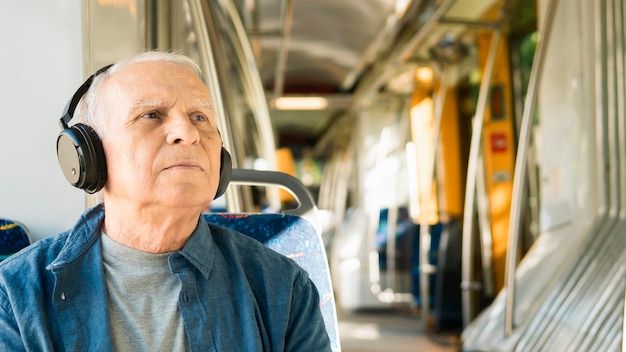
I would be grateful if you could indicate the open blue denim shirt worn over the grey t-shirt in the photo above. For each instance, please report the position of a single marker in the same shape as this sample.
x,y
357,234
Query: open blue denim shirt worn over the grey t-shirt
x,y
236,295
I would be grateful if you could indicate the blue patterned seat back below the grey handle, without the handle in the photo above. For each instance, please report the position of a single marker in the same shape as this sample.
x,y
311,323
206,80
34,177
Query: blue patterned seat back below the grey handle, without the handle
x,y
295,238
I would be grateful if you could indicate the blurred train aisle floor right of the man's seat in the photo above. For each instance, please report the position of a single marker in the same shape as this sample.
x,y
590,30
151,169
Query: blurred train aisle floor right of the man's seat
x,y
388,331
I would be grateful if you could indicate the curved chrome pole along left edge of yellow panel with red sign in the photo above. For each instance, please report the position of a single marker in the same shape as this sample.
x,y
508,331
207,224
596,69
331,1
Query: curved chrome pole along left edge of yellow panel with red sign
x,y
467,266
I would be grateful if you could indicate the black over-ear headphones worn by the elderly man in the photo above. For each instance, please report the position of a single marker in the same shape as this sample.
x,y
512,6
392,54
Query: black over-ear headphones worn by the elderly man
x,y
81,155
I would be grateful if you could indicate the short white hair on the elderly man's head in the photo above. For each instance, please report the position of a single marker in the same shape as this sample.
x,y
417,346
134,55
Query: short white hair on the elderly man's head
x,y
89,113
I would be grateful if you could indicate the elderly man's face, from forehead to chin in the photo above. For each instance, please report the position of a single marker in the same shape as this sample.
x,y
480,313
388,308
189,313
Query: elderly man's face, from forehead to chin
x,y
160,137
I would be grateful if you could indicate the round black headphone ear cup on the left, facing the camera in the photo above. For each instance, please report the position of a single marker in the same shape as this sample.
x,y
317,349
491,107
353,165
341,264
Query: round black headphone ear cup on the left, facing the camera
x,y
81,158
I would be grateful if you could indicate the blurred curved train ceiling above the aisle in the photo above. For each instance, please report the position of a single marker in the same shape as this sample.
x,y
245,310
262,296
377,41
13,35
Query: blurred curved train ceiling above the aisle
x,y
343,49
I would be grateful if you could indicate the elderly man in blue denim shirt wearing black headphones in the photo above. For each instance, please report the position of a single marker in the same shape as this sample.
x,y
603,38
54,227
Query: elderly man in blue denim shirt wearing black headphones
x,y
143,271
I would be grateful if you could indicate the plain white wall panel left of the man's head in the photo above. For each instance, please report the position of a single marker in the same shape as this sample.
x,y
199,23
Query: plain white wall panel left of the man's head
x,y
40,67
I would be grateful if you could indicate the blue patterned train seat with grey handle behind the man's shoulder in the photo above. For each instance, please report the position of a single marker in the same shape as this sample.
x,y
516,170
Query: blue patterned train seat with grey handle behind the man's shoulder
x,y
290,234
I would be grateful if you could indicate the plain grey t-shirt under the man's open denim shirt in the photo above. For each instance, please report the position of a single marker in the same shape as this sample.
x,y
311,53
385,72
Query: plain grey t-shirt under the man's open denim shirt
x,y
142,299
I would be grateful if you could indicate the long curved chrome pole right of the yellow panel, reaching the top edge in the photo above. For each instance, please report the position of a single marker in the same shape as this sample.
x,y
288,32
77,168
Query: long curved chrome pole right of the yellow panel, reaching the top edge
x,y
520,168
